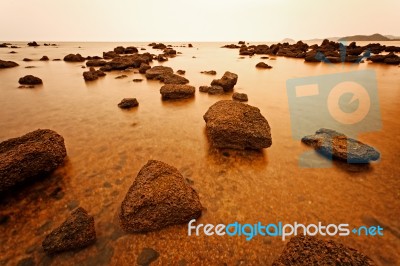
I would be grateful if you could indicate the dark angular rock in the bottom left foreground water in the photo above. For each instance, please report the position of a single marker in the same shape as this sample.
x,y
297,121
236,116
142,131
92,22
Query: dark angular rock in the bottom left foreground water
x,y
76,232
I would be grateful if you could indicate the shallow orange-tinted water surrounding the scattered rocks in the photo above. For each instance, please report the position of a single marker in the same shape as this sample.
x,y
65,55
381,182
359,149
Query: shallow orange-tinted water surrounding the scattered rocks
x,y
107,146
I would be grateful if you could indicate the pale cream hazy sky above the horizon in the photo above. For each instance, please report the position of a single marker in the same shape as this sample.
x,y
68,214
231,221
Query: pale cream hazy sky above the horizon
x,y
201,20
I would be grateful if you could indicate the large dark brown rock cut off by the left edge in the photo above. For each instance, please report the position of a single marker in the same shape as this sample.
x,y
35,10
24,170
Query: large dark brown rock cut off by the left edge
x,y
27,157
